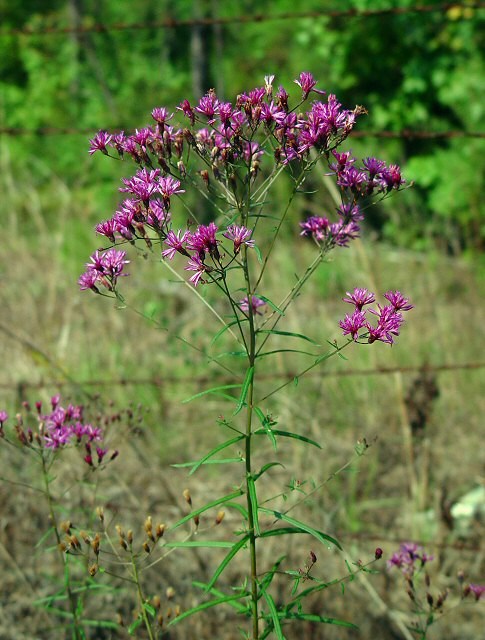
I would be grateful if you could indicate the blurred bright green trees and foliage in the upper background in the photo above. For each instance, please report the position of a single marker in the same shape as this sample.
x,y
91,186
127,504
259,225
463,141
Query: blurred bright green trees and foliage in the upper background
x,y
419,71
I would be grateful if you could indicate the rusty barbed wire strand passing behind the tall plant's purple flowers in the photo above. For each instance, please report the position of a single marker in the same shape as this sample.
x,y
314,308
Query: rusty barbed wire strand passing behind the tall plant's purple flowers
x,y
408,134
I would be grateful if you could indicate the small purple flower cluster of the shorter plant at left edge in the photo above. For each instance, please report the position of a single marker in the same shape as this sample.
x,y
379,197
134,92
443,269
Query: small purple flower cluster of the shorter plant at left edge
x,y
59,428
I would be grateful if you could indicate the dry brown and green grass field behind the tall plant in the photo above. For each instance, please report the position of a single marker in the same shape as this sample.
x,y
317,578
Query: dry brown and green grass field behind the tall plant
x,y
401,489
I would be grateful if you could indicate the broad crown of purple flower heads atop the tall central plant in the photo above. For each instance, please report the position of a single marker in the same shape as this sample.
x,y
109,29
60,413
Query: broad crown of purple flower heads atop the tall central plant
x,y
231,140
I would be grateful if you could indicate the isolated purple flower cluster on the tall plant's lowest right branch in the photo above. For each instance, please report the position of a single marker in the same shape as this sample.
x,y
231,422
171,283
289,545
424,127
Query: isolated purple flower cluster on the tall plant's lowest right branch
x,y
389,317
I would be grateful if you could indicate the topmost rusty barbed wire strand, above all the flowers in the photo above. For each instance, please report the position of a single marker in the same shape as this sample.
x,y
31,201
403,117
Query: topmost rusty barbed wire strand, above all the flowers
x,y
172,23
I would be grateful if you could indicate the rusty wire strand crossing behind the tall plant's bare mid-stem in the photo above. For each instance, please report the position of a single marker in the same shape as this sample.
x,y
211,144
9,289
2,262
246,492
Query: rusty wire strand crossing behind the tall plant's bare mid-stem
x,y
158,381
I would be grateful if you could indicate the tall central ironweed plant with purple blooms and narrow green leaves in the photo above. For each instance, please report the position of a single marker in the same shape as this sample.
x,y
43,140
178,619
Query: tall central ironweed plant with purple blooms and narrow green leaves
x,y
233,154
